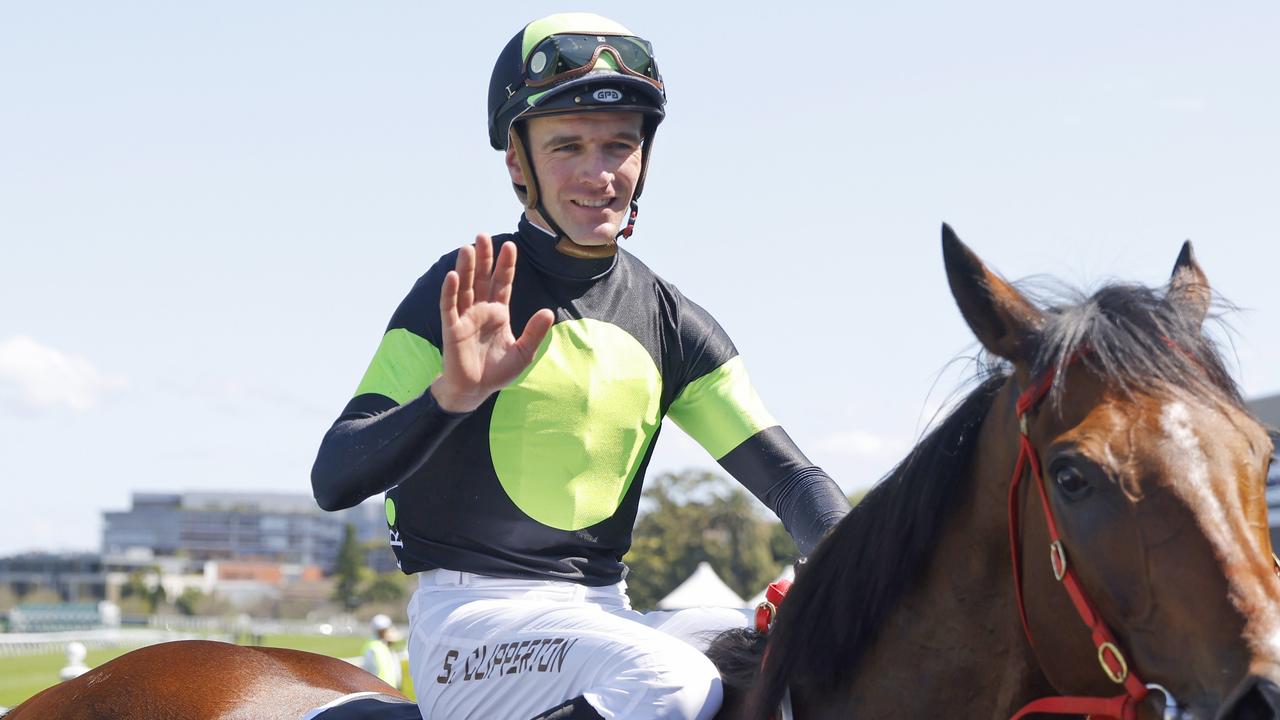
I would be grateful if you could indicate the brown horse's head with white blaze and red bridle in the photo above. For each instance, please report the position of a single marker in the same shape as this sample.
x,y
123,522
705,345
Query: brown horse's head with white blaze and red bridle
x,y
1154,475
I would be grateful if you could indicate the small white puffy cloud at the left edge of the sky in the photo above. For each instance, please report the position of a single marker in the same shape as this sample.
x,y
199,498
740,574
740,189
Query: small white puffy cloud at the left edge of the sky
x,y
39,379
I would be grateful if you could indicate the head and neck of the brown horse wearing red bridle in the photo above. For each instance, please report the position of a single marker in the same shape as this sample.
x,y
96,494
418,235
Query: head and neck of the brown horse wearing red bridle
x,y
1089,522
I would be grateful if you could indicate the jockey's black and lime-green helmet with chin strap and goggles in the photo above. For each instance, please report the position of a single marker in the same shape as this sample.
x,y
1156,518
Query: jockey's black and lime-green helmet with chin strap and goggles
x,y
573,63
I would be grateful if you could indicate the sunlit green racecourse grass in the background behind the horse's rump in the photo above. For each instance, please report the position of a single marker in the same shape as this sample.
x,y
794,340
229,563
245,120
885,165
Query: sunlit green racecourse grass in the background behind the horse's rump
x,y
25,677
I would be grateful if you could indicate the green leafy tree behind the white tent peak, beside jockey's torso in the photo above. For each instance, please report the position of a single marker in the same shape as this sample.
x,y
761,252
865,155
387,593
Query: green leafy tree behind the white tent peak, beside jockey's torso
x,y
691,518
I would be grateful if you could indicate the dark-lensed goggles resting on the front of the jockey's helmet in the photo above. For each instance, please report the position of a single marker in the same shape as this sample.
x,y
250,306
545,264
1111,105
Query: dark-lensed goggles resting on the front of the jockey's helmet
x,y
566,57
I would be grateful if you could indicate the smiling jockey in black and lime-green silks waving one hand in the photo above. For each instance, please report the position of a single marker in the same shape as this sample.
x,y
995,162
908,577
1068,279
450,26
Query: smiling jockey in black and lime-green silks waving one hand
x,y
514,403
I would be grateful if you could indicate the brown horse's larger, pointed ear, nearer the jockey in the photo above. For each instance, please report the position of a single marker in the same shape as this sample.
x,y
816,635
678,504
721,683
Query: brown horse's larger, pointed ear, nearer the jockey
x,y
1005,322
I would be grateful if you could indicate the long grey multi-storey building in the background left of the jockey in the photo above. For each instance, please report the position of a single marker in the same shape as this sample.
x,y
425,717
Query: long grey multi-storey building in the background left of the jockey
x,y
241,526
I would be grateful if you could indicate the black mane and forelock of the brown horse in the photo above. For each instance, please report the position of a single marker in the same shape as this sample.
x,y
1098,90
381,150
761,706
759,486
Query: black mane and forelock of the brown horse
x,y
845,594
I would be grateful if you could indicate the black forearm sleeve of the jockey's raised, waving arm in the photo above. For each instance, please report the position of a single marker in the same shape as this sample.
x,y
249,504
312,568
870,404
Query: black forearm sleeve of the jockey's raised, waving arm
x,y
367,452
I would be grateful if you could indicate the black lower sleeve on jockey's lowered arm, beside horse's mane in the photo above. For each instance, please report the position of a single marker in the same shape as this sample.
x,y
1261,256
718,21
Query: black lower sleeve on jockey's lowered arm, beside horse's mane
x,y
802,495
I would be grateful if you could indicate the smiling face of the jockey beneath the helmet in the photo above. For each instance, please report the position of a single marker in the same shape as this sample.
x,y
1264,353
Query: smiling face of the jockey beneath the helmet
x,y
588,166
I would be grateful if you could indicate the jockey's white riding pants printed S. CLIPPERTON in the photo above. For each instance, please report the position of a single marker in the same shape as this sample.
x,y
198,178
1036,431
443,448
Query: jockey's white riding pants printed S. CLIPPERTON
x,y
509,649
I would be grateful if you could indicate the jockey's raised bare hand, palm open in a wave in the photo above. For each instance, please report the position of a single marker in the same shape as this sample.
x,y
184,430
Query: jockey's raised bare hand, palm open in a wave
x,y
482,356
